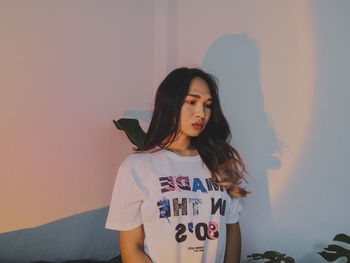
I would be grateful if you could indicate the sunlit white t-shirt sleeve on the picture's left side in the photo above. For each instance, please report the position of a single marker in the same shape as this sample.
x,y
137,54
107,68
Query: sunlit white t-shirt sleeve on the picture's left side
x,y
125,208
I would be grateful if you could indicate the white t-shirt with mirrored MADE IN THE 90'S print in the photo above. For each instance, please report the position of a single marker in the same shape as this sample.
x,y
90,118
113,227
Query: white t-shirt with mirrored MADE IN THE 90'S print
x,y
183,212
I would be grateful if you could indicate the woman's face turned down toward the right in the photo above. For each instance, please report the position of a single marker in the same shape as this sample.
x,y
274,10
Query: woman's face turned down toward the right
x,y
196,109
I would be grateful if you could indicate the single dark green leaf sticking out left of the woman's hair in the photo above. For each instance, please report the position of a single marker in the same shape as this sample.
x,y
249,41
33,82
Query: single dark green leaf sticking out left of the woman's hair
x,y
132,129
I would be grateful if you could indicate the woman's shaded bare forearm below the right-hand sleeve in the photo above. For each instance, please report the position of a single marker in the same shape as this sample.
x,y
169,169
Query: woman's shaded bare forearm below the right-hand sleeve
x,y
233,243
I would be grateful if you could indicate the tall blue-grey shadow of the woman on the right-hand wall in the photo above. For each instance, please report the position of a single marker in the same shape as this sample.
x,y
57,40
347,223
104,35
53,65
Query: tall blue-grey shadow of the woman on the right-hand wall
x,y
234,60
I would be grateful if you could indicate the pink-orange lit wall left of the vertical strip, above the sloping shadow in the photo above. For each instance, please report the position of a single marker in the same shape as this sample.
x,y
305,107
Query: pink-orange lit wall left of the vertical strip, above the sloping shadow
x,y
67,69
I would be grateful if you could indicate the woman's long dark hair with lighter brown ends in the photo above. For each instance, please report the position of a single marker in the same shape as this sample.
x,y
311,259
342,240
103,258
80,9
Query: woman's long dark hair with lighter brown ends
x,y
226,165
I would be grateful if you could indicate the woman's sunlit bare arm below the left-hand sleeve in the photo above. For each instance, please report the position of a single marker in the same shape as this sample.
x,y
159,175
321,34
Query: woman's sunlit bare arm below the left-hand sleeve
x,y
131,246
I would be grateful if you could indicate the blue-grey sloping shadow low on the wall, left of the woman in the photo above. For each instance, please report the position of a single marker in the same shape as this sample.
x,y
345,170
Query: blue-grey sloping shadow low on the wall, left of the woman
x,y
81,236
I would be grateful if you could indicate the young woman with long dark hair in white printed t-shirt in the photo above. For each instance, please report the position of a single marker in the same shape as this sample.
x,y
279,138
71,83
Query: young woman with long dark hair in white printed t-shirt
x,y
177,199
